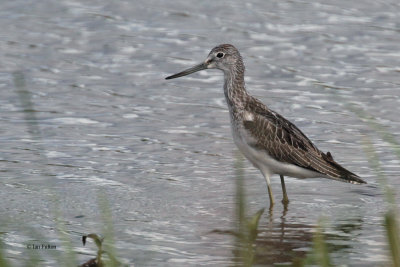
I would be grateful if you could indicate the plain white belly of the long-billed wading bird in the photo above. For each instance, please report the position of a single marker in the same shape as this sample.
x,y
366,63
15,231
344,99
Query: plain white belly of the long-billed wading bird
x,y
263,161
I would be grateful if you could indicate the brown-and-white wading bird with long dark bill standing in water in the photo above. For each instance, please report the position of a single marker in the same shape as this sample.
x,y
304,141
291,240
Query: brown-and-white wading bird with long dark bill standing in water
x,y
273,144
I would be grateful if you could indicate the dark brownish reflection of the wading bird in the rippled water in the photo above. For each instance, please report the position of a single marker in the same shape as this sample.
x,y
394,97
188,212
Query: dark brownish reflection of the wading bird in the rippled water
x,y
282,240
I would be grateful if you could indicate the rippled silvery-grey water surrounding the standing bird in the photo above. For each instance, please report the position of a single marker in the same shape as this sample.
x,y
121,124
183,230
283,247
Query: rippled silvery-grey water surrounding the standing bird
x,y
86,112
